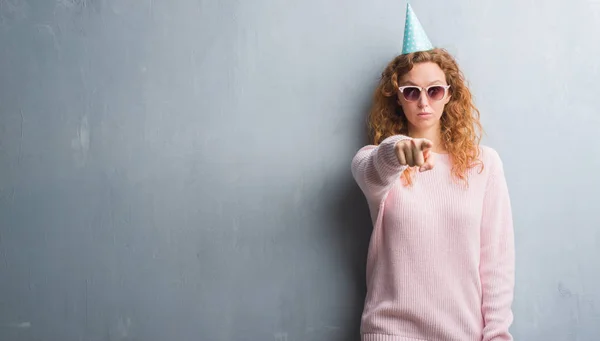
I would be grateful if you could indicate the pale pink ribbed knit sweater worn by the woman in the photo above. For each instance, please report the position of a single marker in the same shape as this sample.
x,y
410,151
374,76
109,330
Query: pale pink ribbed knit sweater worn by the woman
x,y
441,257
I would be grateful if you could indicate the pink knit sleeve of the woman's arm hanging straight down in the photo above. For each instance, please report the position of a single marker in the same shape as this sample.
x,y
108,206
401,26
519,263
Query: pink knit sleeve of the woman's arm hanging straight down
x,y
497,257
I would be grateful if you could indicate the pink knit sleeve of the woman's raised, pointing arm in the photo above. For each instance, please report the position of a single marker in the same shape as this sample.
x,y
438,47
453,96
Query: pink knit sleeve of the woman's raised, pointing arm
x,y
376,168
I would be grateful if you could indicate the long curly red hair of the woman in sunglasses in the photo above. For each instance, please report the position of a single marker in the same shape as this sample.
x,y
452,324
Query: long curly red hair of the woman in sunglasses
x,y
460,126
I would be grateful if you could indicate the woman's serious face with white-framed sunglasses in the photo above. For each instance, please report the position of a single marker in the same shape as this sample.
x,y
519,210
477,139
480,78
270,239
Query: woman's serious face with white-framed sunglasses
x,y
423,109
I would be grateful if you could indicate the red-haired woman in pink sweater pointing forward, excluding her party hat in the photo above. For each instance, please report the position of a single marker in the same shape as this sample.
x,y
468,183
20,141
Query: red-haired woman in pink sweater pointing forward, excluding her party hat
x,y
441,257
